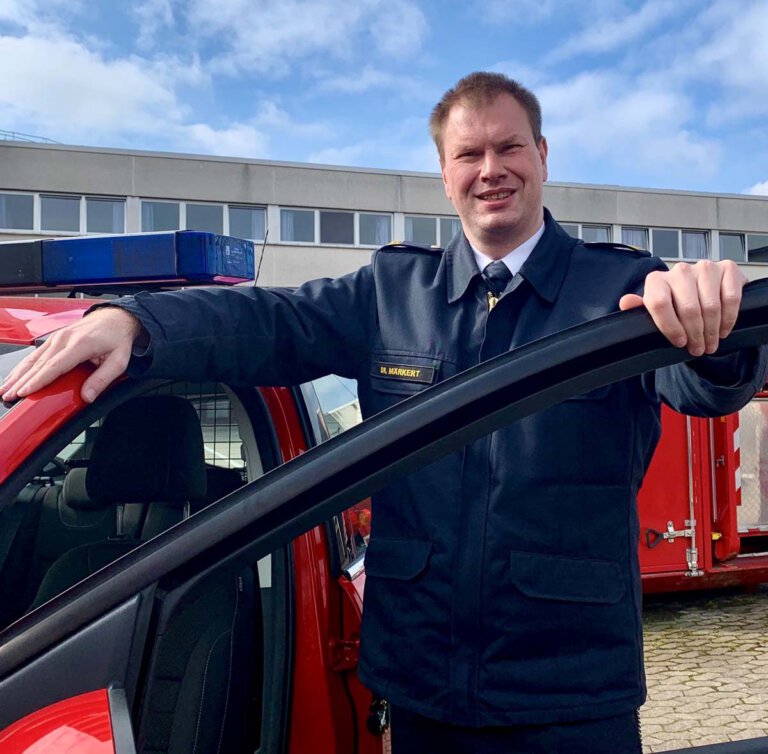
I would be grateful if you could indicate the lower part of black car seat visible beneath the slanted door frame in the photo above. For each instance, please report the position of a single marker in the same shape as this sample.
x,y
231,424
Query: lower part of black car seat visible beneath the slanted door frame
x,y
203,677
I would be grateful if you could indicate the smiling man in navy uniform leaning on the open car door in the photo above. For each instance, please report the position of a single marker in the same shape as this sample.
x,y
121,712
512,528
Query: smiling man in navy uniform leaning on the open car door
x,y
502,608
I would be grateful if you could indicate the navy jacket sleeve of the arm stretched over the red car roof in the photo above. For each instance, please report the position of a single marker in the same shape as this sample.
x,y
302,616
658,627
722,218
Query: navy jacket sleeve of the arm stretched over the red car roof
x,y
244,335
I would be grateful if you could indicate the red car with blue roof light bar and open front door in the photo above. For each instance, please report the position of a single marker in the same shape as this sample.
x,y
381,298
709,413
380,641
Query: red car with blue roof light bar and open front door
x,y
258,656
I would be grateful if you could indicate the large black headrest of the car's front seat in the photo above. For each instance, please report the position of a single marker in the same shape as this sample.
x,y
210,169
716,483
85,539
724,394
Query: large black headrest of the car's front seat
x,y
149,449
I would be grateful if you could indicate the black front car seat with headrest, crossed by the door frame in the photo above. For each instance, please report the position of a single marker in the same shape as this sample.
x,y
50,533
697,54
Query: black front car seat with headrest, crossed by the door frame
x,y
201,679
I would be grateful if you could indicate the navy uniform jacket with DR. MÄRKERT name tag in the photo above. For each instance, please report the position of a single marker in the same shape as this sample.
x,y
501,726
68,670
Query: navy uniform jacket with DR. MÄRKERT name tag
x,y
503,583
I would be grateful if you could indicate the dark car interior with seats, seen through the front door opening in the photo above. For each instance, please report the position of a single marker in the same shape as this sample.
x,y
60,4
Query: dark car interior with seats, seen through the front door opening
x,y
146,465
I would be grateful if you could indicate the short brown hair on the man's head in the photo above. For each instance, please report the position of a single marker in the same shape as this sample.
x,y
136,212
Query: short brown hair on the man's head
x,y
481,88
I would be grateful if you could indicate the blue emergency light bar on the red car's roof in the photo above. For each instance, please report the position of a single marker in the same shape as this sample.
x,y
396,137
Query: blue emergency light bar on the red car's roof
x,y
183,257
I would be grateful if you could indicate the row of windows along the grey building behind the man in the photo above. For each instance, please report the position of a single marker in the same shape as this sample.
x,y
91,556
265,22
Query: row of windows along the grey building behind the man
x,y
77,214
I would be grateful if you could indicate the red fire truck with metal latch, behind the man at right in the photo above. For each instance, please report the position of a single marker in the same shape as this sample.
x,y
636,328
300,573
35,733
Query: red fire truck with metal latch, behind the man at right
x,y
704,502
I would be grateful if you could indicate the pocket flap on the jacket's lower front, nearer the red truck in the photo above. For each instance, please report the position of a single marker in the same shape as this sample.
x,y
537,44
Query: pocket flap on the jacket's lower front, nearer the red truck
x,y
555,577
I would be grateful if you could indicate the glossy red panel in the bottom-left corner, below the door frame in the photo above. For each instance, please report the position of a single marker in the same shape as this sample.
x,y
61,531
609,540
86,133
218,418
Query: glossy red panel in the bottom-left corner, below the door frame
x,y
80,725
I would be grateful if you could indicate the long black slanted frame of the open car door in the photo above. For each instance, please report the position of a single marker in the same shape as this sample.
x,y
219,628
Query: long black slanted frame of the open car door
x,y
271,511
